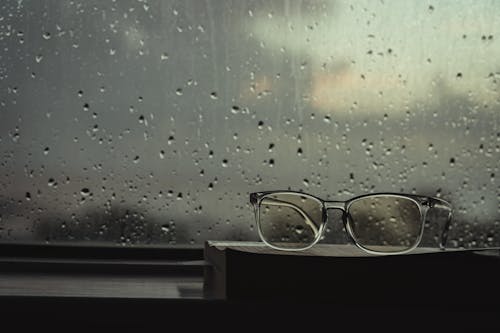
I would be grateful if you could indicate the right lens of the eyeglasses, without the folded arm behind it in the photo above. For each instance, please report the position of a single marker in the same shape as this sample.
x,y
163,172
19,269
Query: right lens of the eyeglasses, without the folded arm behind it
x,y
385,223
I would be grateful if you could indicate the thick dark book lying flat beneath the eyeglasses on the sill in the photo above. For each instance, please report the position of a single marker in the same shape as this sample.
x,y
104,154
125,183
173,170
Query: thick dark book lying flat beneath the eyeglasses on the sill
x,y
346,275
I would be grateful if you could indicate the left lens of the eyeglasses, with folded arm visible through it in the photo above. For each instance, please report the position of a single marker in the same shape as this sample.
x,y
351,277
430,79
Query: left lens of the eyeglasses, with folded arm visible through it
x,y
290,221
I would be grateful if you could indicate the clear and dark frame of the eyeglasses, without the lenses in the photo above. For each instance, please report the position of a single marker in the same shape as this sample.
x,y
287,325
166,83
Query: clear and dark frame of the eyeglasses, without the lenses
x,y
424,203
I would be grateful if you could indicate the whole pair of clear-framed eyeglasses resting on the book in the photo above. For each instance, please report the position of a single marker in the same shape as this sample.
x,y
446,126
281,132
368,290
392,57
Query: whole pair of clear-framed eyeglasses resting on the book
x,y
381,223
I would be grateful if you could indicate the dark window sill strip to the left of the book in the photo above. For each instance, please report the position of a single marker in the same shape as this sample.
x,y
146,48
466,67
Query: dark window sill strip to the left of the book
x,y
101,272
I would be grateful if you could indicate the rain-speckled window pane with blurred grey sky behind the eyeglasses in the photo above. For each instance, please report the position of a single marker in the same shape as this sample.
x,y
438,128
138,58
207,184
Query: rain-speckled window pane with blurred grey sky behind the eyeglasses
x,y
149,122
